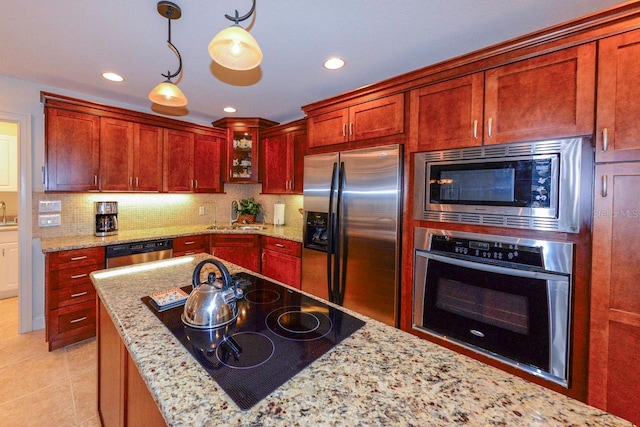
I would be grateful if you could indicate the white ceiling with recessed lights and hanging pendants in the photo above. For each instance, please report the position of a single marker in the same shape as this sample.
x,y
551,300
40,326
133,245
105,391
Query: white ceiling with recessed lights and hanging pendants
x,y
67,44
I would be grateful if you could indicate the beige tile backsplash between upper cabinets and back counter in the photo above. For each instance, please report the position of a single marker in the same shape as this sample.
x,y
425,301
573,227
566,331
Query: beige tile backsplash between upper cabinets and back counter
x,y
138,211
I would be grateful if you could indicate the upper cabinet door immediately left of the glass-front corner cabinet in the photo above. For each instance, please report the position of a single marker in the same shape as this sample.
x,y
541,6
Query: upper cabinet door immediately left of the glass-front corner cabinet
x,y
208,162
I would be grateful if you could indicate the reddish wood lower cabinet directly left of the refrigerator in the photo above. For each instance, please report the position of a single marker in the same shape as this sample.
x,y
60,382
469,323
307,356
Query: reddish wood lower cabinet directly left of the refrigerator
x,y
281,260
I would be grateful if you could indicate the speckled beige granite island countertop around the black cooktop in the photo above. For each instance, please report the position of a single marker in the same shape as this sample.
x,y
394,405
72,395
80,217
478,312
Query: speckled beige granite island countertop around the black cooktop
x,y
378,376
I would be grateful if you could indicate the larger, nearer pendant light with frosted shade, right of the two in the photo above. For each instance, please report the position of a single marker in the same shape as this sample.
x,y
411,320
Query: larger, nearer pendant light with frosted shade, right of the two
x,y
234,47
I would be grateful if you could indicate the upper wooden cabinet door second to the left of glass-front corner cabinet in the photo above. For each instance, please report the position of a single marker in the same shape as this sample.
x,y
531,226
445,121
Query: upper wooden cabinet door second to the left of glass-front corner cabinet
x,y
178,161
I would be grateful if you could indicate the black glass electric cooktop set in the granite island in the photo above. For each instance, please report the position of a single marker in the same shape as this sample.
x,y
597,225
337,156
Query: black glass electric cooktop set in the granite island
x,y
277,334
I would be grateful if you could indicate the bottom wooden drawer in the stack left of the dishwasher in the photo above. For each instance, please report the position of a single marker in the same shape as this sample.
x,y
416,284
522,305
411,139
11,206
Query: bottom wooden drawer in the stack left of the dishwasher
x,y
73,320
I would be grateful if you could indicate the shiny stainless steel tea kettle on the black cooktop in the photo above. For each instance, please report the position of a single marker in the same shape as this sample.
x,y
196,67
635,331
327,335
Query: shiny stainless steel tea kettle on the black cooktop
x,y
211,305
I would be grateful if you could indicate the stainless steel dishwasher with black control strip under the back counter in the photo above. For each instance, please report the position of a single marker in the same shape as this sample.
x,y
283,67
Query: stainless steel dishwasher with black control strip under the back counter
x,y
136,253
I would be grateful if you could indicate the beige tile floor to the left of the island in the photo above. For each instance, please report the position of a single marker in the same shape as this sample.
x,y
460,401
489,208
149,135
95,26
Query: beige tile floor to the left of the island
x,y
42,388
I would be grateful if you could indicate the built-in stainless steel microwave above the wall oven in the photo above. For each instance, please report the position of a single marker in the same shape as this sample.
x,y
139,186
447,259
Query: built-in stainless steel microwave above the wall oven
x,y
533,185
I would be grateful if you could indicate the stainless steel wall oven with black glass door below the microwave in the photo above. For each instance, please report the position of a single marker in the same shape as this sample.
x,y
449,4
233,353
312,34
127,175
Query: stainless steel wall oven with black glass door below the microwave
x,y
504,297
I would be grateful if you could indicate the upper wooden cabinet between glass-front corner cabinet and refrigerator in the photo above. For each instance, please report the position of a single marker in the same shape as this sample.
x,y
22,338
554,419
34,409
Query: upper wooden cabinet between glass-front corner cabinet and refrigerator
x,y
282,157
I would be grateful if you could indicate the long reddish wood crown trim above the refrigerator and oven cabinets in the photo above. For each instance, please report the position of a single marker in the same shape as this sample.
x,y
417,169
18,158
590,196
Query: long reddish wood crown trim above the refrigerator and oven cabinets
x,y
589,28
